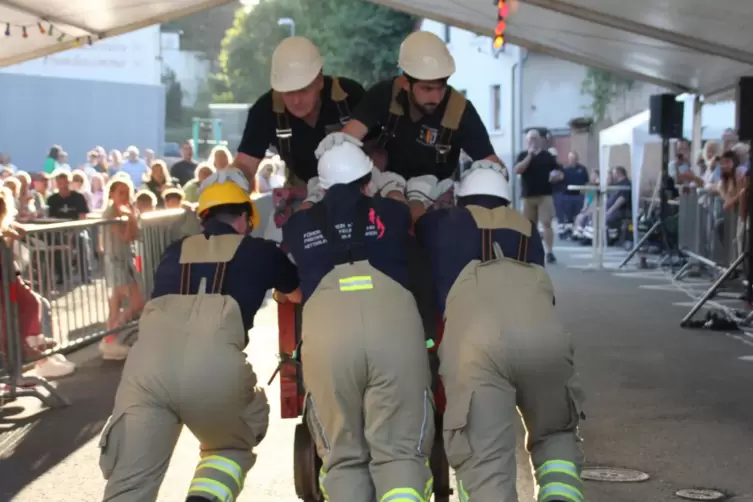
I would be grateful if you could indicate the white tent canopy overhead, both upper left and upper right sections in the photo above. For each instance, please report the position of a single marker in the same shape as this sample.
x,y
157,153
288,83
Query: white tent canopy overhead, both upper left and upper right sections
x,y
683,45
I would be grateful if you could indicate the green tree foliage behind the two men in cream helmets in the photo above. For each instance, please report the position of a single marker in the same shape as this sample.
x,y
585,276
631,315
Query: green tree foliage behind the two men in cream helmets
x,y
357,39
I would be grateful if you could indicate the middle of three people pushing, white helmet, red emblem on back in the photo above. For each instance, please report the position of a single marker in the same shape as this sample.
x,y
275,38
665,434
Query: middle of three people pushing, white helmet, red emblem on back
x,y
368,399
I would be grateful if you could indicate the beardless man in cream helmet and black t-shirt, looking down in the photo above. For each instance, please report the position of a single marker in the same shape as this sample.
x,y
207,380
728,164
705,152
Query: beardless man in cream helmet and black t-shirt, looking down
x,y
295,115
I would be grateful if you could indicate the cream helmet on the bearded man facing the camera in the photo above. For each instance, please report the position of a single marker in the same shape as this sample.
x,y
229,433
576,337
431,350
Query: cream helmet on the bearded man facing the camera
x,y
424,56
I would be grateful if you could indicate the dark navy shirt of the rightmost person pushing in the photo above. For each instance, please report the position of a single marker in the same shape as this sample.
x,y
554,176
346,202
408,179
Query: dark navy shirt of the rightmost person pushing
x,y
453,240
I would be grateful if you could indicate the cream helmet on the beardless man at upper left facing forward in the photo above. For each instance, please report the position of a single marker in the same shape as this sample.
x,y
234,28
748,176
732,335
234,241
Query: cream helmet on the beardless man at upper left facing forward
x,y
295,64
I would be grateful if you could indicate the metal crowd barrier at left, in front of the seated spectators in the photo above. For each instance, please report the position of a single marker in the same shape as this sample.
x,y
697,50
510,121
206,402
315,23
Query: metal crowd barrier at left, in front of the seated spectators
x,y
62,267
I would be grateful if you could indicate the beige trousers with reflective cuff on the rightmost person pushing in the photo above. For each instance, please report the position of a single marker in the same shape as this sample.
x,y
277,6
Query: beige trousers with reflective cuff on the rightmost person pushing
x,y
504,347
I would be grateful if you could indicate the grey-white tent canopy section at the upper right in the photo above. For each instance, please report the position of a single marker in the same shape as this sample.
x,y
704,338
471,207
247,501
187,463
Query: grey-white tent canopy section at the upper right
x,y
682,45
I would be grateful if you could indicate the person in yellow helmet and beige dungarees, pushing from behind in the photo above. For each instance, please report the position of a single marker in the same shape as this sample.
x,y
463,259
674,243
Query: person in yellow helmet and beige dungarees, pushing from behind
x,y
188,365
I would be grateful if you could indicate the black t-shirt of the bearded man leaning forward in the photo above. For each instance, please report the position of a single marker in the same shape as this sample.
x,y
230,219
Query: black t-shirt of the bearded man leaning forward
x,y
412,151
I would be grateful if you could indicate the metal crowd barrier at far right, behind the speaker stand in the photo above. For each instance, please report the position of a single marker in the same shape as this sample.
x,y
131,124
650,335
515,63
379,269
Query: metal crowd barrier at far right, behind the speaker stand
x,y
708,238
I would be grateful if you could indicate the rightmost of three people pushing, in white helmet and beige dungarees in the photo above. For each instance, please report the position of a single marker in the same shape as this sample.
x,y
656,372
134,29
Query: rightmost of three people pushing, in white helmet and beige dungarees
x,y
502,347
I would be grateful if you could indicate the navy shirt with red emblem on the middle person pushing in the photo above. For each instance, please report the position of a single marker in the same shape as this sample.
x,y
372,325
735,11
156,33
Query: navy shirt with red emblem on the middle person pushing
x,y
385,243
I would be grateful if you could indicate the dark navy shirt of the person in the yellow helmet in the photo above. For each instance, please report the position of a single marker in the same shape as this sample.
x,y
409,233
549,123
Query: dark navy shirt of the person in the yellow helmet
x,y
258,266
